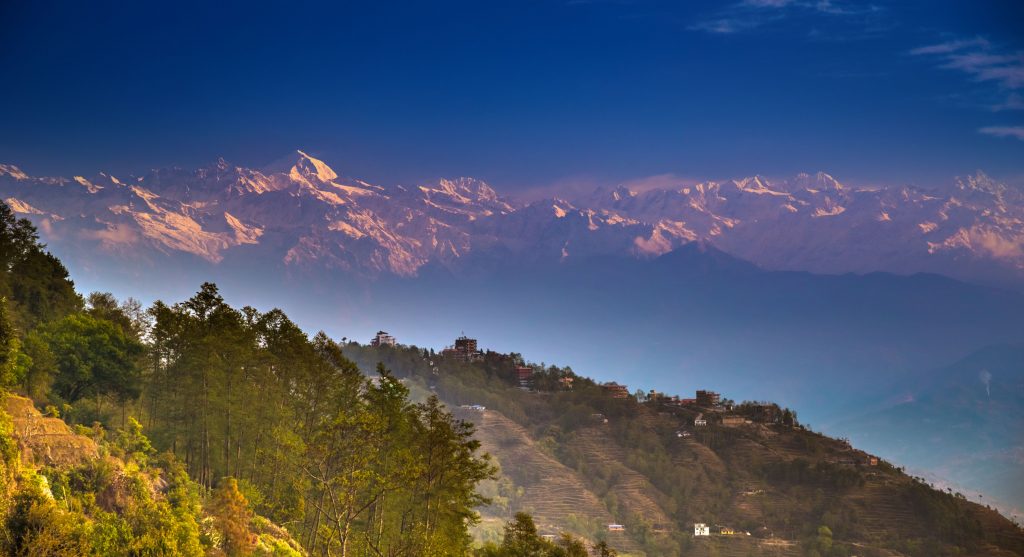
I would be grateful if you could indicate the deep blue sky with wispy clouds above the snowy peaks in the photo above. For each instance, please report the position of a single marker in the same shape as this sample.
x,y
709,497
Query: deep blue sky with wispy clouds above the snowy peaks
x,y
525,95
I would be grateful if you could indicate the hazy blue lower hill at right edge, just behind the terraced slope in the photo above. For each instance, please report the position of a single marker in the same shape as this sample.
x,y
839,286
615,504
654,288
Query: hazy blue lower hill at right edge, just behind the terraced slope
x,y
965,421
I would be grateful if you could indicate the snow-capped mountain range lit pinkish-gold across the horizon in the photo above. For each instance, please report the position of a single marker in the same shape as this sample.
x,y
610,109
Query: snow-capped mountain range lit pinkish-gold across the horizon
x,y
301,213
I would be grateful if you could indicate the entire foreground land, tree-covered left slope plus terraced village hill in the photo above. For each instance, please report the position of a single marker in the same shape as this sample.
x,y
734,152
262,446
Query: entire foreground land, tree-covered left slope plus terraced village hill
x,y
198,429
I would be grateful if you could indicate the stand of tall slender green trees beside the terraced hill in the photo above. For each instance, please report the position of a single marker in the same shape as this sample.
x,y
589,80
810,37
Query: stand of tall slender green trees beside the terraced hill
x,y
351,465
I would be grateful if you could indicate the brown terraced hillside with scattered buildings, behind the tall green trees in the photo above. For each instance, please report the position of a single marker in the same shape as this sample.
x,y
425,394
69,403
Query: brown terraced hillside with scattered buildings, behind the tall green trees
x,y
653,474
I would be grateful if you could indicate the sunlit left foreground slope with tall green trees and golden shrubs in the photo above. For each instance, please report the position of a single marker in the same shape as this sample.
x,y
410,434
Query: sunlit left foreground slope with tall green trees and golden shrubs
x,y
211,412
